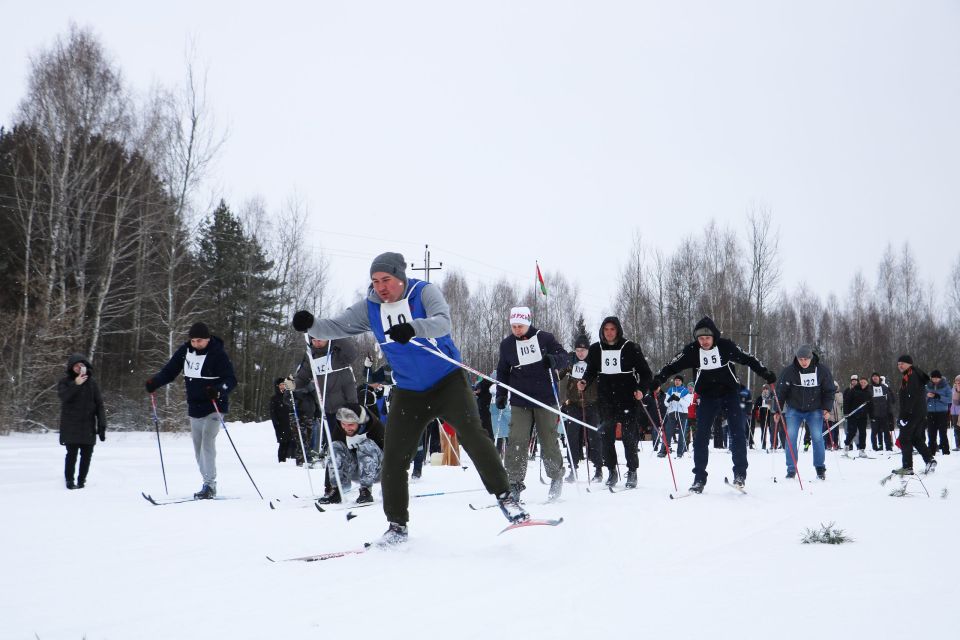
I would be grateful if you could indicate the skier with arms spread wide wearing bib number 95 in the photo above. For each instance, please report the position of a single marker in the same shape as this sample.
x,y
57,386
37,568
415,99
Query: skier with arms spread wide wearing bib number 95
x,y
712,357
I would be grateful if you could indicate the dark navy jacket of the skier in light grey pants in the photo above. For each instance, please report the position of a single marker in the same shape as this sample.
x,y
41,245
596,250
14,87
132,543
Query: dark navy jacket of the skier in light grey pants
x,y
216,371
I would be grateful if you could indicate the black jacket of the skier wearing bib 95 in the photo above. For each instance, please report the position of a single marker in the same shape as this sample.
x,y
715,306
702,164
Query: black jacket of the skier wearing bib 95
x,y
715,377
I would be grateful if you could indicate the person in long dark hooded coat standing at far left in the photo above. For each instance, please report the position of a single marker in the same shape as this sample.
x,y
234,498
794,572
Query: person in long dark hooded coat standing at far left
x,y
82,418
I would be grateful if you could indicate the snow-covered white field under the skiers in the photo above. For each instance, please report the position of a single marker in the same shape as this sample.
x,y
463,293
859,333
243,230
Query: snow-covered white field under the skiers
x,y
102,563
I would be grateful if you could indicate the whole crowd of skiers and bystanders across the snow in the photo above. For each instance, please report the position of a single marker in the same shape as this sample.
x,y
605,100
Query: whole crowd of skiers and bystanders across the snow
x,y
609,392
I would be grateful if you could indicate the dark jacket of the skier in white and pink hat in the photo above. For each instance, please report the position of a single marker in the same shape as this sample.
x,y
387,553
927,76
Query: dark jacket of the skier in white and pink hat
x,y
532,379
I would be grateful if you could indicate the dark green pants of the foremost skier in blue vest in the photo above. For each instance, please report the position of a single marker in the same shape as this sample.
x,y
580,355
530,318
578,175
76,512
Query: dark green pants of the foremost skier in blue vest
x,y
452,401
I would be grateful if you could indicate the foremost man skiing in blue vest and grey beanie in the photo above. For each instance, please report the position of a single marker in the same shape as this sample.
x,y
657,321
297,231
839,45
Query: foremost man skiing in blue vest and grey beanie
x,y
397,310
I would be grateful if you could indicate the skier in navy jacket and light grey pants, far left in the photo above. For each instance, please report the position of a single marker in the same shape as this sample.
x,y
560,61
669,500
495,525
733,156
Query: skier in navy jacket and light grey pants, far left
x,y
208,378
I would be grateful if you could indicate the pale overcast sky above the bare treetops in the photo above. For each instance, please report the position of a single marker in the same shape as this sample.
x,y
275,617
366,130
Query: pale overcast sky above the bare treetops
x,y
506,132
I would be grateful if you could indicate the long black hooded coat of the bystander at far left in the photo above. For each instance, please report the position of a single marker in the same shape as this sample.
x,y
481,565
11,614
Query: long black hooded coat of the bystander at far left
x,y
82,416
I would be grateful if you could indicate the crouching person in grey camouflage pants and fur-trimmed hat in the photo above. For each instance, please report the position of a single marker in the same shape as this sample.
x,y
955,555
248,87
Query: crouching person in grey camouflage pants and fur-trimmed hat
x,y
357,453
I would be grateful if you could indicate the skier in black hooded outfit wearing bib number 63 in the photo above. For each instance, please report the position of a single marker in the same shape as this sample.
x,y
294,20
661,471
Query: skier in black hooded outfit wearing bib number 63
x,y
619,369
